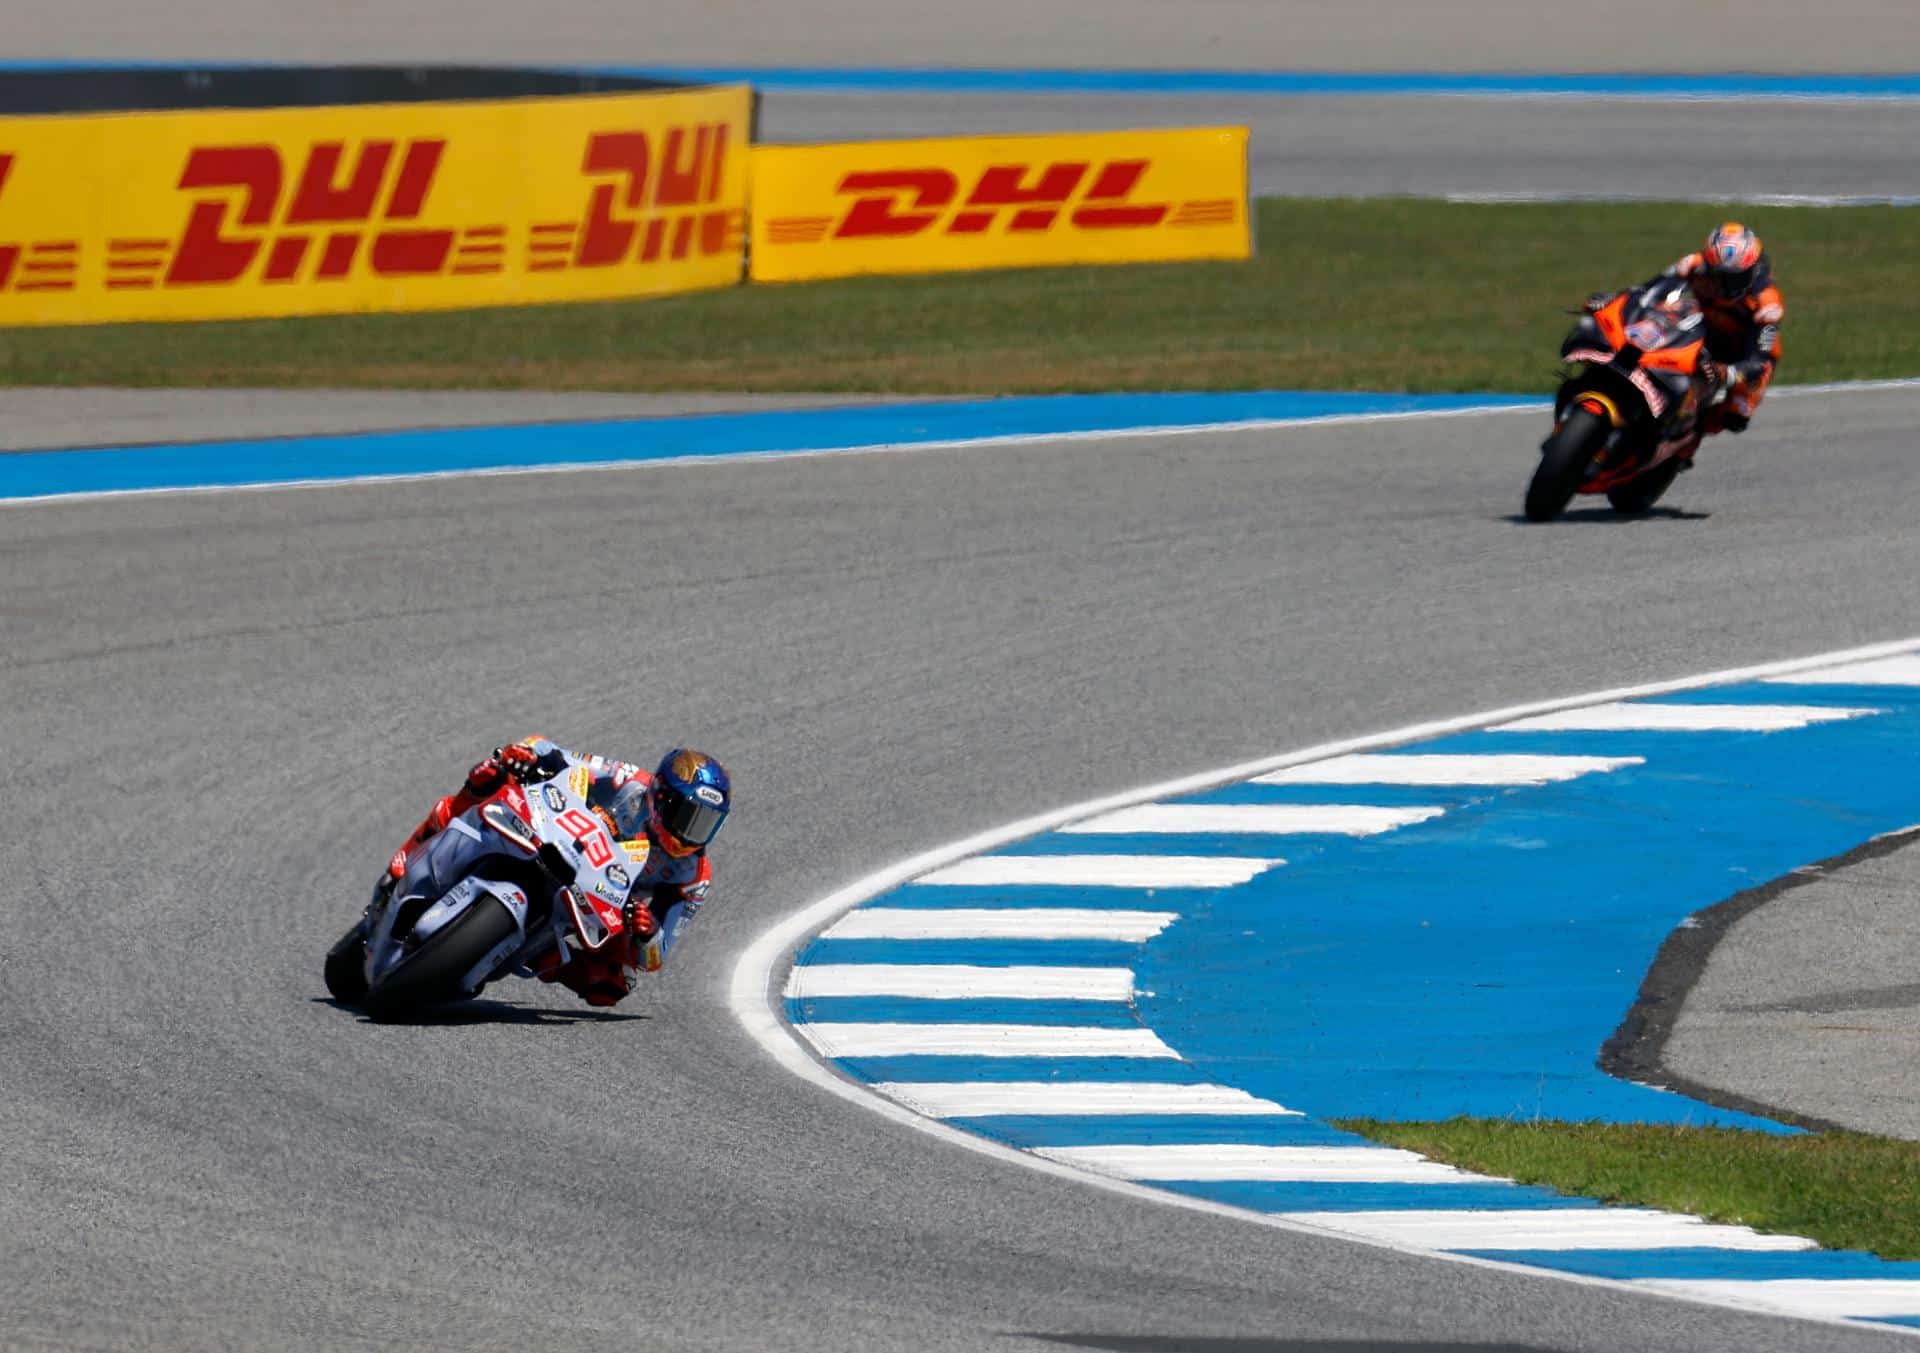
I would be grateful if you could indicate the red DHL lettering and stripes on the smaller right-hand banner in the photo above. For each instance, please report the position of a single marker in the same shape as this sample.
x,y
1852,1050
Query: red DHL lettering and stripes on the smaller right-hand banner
x,y
1024,199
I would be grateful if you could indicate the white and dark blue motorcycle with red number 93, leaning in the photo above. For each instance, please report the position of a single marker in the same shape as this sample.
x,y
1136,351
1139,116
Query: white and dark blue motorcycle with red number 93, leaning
x,y
516,878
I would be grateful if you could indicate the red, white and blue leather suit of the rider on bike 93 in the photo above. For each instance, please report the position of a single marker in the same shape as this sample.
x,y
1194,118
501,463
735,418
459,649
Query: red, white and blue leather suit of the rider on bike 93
x,y
673,886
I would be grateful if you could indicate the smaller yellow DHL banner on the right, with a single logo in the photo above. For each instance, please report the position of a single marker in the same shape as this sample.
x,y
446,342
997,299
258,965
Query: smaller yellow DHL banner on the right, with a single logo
x,y
996,202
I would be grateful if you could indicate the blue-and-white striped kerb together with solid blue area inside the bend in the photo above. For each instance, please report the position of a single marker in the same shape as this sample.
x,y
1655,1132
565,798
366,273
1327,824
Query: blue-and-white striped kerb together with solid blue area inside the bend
x,y
1378,962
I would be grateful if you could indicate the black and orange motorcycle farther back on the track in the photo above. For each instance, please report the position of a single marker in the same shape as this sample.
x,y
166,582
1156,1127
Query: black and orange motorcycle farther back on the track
x,y
1633,408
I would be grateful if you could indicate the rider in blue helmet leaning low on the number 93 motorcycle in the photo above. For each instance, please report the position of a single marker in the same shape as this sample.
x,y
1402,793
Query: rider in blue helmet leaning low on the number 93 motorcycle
x,y
663,822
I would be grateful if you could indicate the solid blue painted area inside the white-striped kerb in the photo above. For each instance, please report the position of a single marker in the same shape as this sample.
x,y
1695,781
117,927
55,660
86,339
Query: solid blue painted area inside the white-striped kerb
x,y
1477,962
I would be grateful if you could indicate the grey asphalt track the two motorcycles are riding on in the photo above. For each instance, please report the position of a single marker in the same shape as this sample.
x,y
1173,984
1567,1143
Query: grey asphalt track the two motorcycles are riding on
x,y
224,711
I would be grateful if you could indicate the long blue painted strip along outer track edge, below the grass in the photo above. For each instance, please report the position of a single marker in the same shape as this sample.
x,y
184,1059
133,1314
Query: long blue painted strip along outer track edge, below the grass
x,y
26,475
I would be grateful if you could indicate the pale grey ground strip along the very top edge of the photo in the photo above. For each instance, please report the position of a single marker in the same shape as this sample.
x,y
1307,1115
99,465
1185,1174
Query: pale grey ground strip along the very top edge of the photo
x,y
1318,36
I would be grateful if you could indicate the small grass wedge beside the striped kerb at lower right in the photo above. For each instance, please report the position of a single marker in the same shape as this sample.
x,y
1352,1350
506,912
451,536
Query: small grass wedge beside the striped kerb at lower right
x,y
1846,1191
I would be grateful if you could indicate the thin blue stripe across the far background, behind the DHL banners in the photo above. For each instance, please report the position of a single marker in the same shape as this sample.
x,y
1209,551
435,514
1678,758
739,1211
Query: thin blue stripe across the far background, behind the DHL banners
x,y
798,80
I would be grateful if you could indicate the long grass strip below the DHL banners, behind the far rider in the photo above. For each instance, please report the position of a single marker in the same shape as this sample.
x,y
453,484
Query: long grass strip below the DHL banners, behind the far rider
x,y
1347,295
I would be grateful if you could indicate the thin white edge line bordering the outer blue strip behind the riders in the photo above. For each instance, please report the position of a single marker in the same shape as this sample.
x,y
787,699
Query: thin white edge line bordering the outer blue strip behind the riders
x,y
878,448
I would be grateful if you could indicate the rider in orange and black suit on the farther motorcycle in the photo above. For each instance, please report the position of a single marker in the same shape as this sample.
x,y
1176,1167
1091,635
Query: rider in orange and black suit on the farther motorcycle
x,y
1733,281
